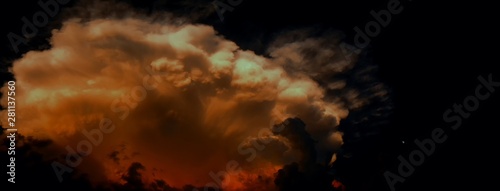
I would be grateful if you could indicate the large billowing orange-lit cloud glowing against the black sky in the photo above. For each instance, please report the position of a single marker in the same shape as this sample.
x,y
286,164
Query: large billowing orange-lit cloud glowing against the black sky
x,y
183,99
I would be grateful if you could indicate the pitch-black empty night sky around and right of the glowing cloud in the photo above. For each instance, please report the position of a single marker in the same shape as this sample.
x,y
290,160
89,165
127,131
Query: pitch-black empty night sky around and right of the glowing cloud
x,y
430,55
